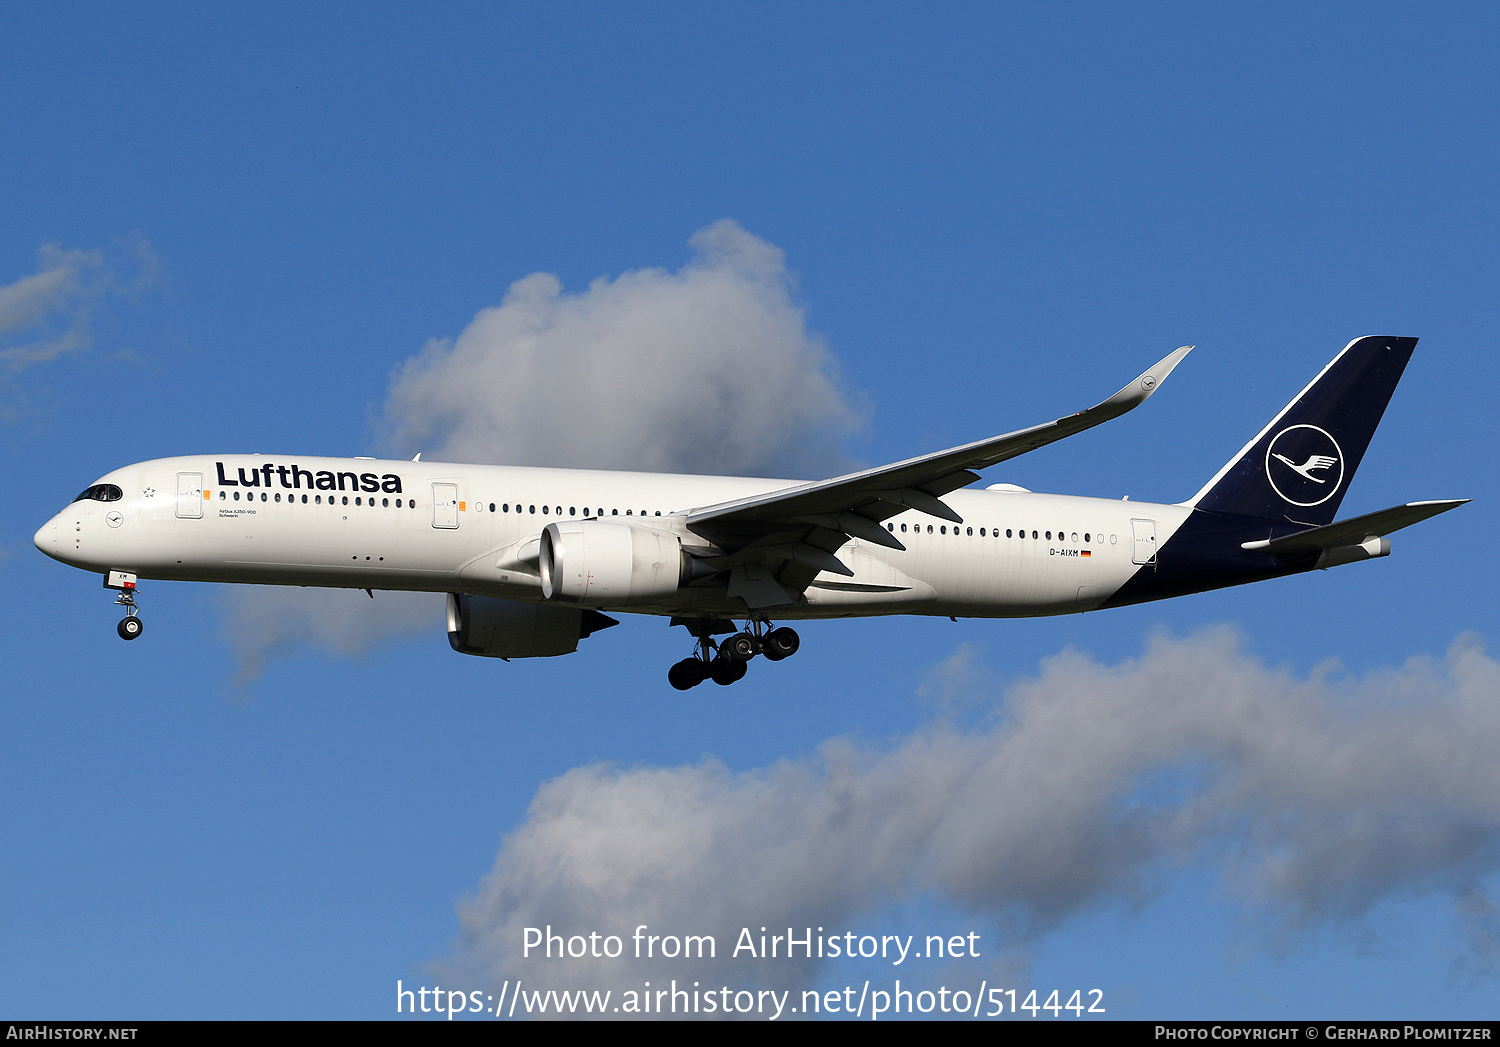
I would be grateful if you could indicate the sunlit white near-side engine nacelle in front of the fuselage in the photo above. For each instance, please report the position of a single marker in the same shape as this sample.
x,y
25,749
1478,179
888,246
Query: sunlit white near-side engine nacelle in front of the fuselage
x,y
608,565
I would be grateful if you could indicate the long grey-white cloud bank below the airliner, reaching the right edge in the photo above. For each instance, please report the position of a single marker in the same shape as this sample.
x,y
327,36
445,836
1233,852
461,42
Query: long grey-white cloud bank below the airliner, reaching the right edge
x,y
1319,797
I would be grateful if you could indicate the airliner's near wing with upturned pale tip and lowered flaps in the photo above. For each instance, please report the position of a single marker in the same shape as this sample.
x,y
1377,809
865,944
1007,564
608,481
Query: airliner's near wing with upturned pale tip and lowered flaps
x,y
790,536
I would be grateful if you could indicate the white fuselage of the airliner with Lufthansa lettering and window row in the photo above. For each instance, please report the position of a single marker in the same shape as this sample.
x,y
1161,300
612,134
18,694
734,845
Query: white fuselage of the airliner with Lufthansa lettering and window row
x,y
466,529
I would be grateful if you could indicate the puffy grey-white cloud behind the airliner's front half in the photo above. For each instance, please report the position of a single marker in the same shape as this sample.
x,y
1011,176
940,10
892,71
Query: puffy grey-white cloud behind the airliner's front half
x,y
704,370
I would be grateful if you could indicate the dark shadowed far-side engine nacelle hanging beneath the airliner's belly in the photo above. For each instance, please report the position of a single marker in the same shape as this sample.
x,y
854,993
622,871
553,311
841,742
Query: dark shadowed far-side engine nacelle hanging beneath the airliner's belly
x,y
508,629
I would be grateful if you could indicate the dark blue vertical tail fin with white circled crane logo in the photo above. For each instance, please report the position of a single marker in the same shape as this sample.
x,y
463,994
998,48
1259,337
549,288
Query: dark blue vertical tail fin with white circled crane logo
x,y
1300,466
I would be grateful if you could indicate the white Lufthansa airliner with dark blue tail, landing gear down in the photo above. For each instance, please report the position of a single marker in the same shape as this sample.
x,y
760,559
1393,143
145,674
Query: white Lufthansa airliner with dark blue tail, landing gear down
x,y
533,559
